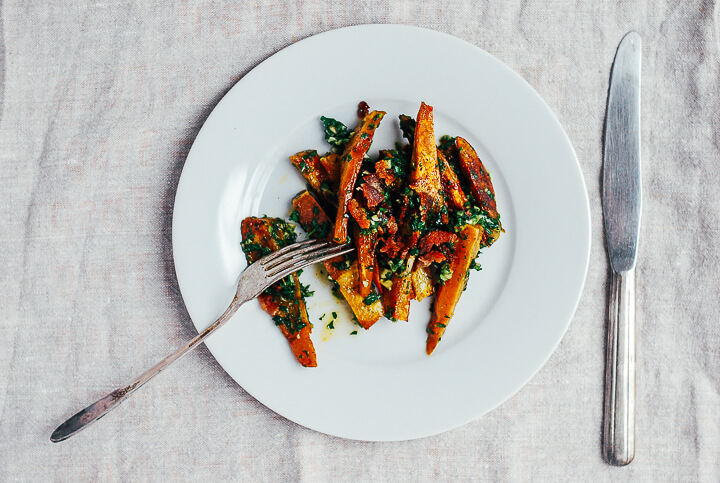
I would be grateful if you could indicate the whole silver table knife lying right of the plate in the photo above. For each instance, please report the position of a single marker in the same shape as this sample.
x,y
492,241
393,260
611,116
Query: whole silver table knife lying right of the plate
x,y
621,210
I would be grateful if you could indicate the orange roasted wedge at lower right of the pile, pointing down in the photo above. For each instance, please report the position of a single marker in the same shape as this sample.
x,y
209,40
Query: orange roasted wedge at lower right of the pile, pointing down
x,y
448,294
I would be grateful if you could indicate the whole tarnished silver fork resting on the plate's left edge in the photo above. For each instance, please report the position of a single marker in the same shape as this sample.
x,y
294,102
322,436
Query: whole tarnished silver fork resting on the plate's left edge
x,y
256,278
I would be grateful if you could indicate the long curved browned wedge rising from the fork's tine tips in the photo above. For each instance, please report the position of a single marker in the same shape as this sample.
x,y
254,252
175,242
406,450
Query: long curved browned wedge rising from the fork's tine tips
x,y
351,162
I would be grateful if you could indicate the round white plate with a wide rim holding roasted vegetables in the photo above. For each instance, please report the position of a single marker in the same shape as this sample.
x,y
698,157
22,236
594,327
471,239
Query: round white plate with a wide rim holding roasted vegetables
x,y
379,385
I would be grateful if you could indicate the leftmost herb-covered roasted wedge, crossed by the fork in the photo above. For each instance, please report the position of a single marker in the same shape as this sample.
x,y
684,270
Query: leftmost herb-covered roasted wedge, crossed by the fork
x,y
284,300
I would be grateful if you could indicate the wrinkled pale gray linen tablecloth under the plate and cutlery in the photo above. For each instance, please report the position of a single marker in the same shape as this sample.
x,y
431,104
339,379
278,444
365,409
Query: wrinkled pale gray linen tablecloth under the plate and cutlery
x,y
100,104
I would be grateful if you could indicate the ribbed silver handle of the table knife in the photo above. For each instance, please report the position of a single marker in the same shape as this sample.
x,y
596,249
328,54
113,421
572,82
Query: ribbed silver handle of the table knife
x,y
619,425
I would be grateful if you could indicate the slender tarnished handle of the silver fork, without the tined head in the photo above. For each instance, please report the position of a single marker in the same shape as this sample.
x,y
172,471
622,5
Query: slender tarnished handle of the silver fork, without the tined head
x,y
106,404
